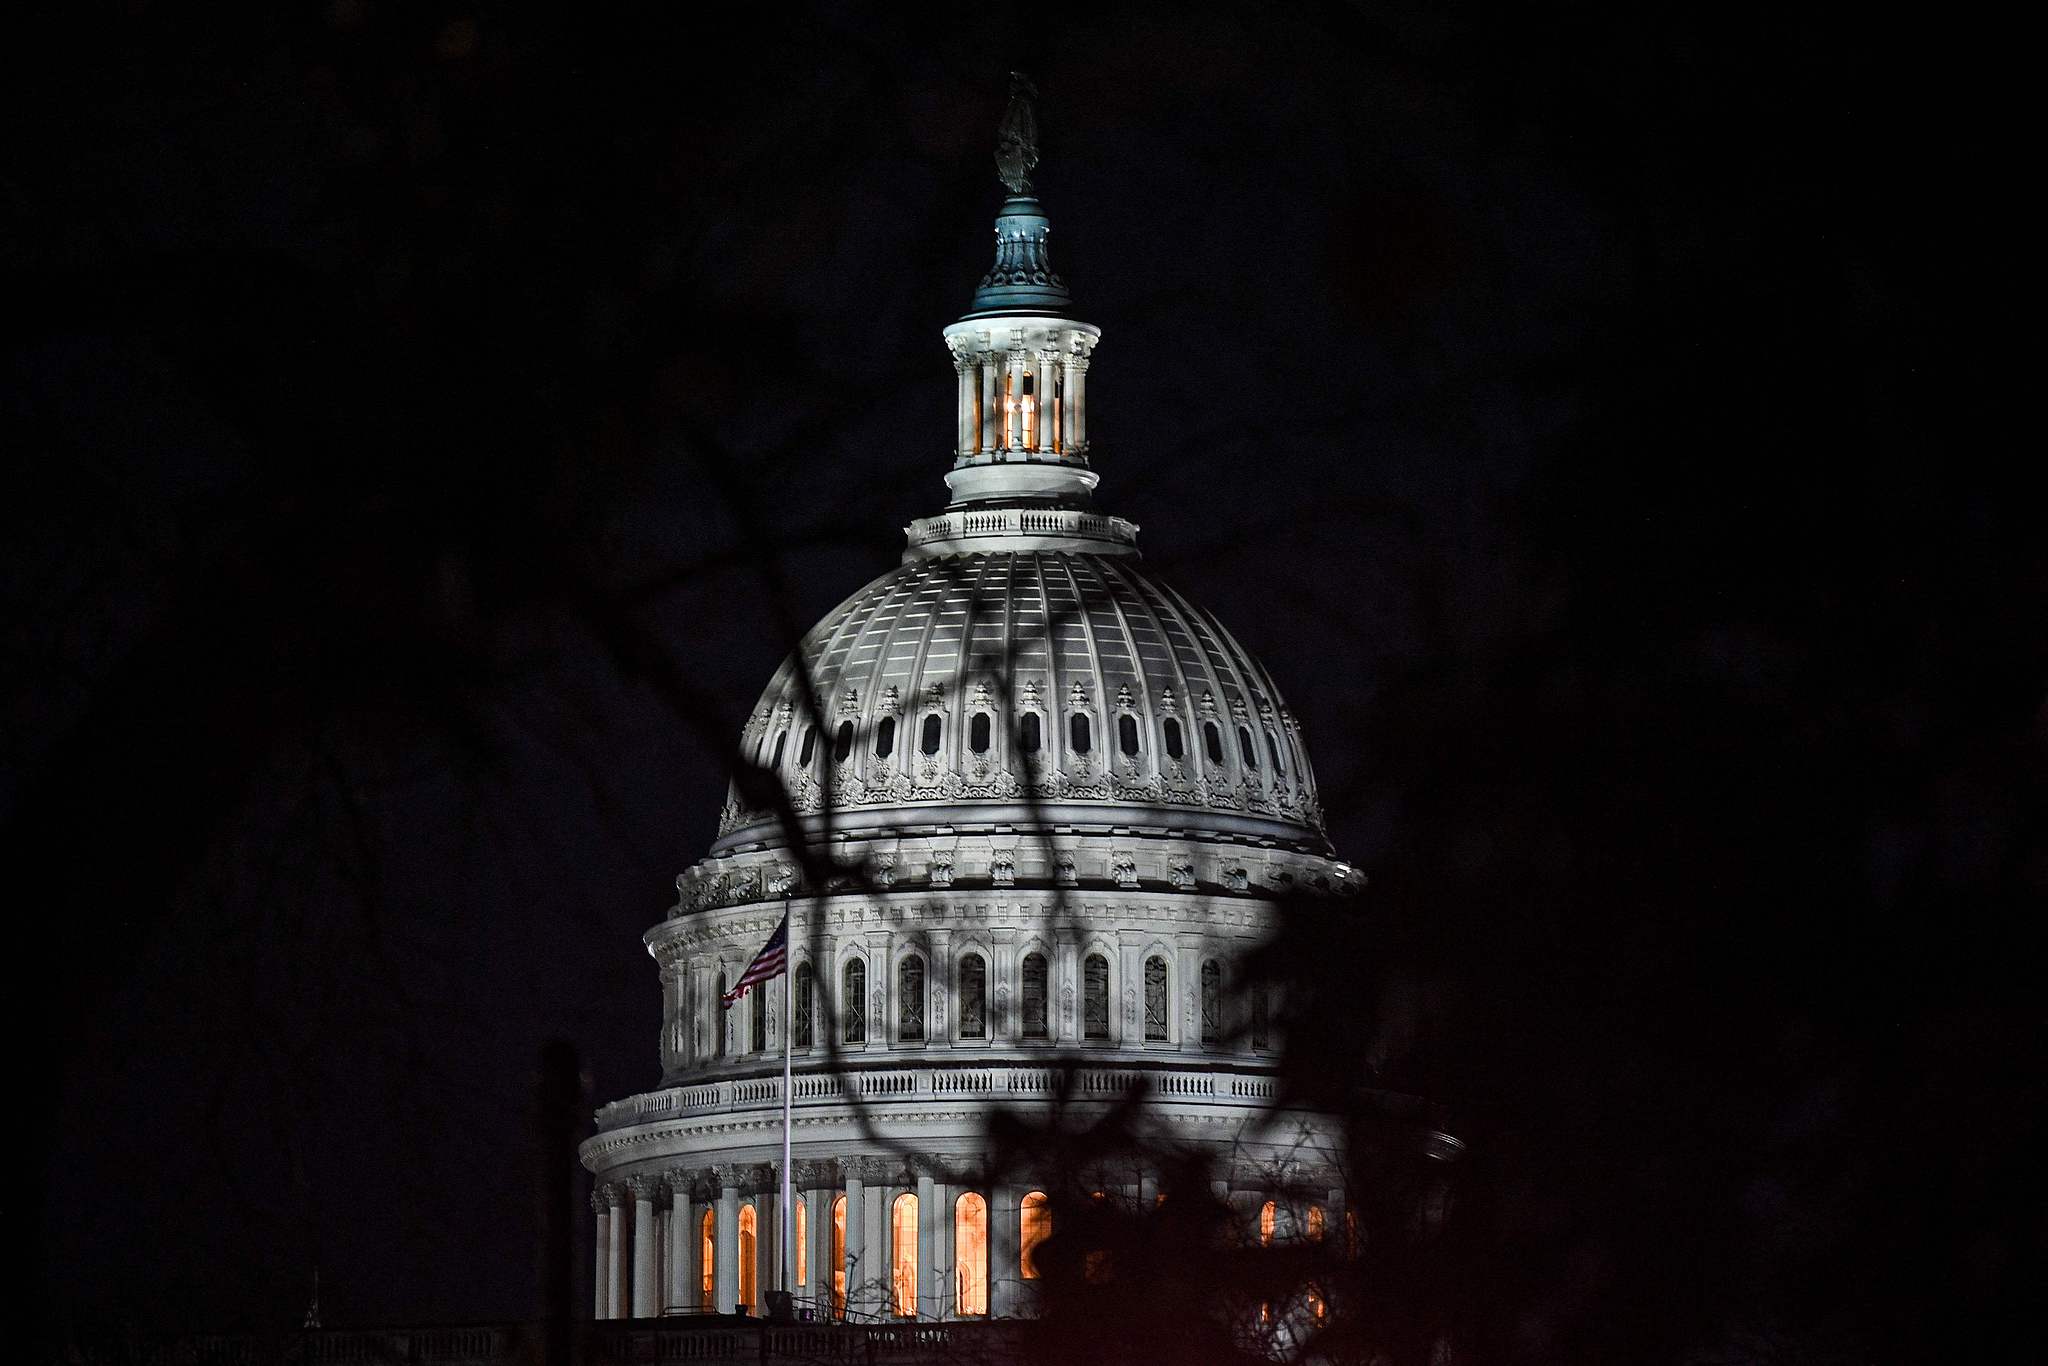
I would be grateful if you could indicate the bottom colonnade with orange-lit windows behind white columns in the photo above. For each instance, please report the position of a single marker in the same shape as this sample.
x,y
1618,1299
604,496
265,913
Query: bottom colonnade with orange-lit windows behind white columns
x,y
871,1238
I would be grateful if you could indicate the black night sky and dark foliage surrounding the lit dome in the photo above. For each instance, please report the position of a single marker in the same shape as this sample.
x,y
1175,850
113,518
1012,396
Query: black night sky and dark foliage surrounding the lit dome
x,y
427,427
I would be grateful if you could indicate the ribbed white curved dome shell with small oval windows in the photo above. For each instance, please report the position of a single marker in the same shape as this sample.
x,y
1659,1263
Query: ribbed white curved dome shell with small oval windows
x,y
1031,677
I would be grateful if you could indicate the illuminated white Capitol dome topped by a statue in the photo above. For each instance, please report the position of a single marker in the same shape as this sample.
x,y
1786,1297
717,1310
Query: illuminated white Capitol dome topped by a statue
x,y
1027,810
